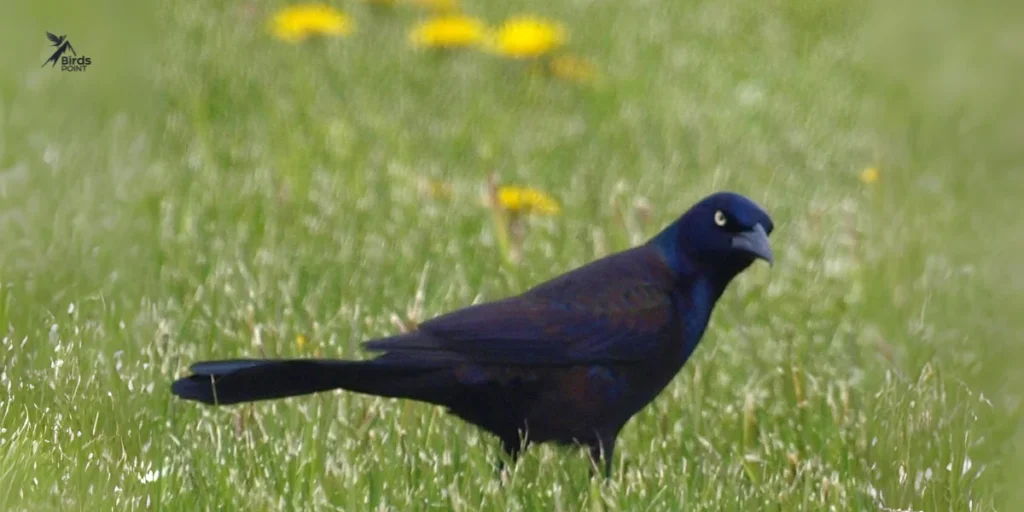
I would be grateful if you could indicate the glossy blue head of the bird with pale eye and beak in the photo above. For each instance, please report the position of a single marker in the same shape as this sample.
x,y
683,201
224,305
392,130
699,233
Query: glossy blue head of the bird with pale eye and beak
x,y
724,234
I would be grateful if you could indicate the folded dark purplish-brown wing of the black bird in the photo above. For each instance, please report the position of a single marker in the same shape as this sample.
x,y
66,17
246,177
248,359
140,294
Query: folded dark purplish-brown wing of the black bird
x,y
607,313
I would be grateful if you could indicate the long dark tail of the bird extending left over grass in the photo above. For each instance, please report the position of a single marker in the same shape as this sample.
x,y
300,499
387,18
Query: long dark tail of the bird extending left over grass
x,y
224,382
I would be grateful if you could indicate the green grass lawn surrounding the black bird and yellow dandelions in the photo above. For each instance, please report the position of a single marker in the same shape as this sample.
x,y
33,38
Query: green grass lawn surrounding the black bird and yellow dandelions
x,y
206,192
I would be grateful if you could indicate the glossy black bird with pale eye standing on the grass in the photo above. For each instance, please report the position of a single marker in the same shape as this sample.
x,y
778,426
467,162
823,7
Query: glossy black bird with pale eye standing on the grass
x,y
570,361
